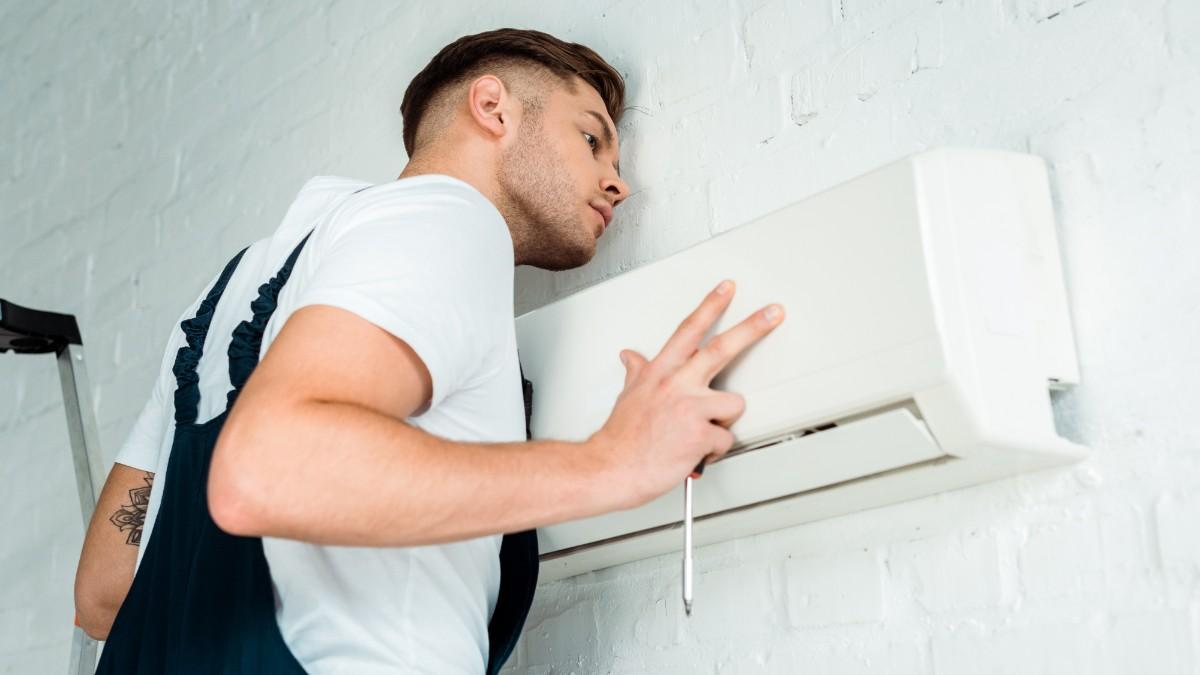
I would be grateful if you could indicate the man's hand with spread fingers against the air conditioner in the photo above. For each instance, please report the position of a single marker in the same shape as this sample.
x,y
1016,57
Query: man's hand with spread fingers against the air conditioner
x,y
668,420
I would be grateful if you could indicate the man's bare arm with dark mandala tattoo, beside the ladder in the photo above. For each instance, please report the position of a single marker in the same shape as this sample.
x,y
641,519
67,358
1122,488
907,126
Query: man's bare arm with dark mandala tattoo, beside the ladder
x,y
111,548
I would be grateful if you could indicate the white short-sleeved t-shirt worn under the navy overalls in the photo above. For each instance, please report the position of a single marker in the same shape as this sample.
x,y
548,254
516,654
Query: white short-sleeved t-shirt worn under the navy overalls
x,y
430,260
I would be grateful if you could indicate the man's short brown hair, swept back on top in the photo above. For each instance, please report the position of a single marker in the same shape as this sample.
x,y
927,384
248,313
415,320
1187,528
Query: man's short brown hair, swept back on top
x,y
500,51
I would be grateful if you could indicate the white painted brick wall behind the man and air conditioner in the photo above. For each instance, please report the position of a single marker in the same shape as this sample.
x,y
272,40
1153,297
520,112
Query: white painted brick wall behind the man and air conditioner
x,y
145,144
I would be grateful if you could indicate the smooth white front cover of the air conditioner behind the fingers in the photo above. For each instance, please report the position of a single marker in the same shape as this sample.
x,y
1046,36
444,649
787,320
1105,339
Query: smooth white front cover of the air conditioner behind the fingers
x,y
848,265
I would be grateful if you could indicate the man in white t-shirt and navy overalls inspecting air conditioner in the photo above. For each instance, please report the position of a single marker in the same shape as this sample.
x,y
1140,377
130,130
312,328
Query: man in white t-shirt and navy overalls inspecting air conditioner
x,y
346,516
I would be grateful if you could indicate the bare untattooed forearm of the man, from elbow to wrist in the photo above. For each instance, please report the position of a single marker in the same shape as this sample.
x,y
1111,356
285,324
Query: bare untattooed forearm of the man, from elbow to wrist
x,y
339,474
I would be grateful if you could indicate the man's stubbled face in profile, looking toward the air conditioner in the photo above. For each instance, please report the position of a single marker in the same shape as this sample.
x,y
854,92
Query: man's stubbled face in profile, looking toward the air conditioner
x,y
561,180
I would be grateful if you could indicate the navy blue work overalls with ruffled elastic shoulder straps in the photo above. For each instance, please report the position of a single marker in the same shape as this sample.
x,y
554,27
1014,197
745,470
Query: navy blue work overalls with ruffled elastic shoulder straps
x,y
202,600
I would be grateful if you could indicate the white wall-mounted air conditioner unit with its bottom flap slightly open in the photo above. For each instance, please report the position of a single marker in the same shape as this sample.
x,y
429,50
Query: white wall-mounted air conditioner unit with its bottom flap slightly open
x,y
927,319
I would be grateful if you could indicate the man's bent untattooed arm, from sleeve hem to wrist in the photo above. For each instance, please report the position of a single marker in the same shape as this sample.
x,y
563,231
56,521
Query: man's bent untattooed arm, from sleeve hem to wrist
x,y
316,450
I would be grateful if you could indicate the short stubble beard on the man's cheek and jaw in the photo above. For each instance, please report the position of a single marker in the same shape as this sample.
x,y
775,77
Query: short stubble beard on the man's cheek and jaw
x,y
539,205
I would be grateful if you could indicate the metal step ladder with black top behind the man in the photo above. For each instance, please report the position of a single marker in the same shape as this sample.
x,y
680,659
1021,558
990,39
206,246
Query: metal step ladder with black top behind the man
x,y
34,332
